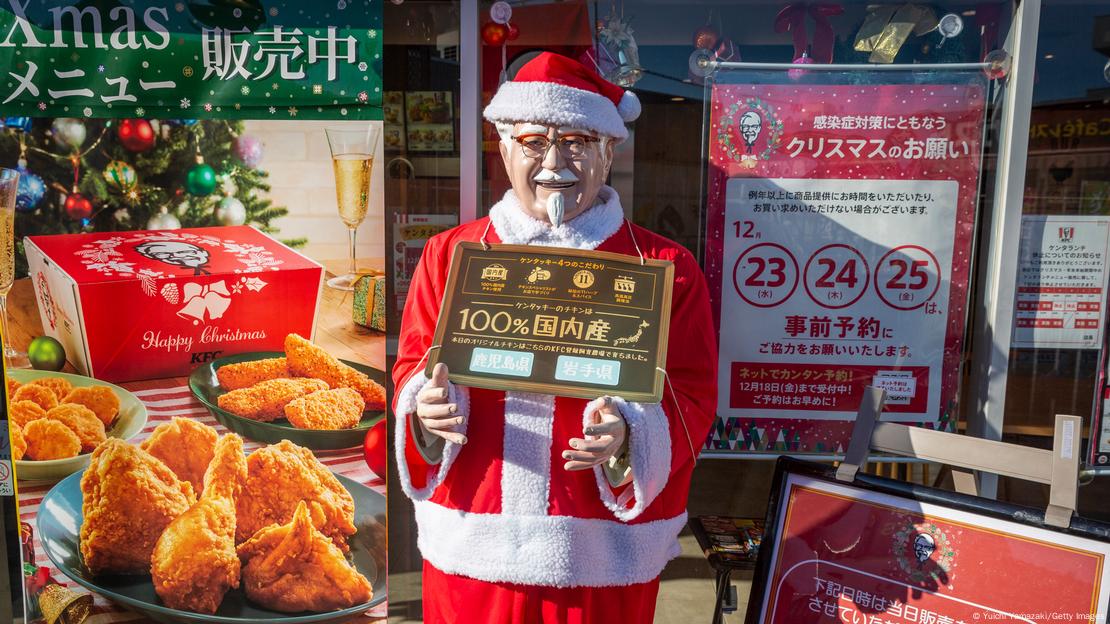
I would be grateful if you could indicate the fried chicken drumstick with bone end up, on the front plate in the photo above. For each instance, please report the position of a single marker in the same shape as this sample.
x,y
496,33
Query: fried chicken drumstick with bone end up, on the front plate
x,y
195,561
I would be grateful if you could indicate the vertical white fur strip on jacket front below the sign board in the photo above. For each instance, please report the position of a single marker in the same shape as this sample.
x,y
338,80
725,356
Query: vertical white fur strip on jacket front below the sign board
x,y
527,468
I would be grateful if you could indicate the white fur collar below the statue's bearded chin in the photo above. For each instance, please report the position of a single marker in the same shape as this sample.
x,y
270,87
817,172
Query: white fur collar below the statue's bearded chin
x,y
586,232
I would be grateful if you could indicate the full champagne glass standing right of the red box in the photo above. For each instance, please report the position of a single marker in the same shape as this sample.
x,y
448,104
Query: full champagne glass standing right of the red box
x,y
352,160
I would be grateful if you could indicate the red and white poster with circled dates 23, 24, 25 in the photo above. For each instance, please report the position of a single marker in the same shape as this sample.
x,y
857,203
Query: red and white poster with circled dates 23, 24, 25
x,y
841,222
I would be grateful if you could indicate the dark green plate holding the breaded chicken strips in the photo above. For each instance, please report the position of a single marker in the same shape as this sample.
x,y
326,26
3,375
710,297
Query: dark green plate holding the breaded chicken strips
x,y
206,387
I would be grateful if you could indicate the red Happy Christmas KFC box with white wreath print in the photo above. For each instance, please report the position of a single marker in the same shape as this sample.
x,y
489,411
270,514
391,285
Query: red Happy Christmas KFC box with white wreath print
x,y
130,306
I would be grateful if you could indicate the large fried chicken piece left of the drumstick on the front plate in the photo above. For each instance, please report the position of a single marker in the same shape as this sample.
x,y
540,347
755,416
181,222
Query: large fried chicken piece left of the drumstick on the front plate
x,y
130,498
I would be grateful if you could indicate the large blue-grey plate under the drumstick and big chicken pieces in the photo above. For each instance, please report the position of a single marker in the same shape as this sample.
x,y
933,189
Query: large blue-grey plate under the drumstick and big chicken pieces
x,y
59,529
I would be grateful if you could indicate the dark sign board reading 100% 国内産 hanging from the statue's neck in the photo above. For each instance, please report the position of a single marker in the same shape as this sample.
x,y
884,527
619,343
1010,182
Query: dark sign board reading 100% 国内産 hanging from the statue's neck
x,y
558,321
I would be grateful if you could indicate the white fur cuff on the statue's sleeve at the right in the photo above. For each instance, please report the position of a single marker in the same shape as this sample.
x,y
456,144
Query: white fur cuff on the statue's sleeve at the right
x,y
650,447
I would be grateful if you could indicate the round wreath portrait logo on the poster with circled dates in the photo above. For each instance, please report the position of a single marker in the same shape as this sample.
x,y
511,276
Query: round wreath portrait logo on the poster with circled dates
x,y
750,132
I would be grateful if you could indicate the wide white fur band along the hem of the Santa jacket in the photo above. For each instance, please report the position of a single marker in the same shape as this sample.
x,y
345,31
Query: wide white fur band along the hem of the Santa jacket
x,y
552,551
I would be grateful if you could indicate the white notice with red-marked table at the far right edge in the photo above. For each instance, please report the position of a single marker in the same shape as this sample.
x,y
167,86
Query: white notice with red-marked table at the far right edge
x,y
1062,283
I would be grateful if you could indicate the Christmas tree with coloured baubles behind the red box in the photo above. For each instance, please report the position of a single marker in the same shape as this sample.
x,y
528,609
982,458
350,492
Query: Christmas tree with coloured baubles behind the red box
x,y
134,175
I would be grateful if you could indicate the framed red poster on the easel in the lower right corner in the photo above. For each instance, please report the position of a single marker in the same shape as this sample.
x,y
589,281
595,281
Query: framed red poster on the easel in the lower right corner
x,y
851,556
